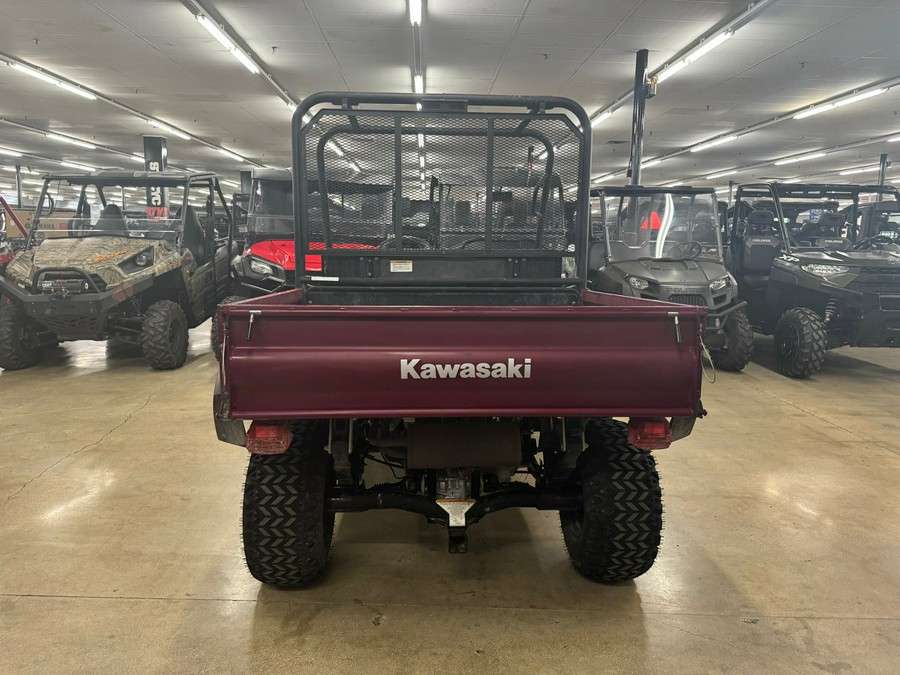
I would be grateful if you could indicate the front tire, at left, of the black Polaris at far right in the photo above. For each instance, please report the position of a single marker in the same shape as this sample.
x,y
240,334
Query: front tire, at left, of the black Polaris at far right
x,y
800,342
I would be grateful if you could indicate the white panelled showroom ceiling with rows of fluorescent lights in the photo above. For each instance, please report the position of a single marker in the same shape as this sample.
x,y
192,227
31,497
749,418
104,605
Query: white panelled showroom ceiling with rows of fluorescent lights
x,y
153,59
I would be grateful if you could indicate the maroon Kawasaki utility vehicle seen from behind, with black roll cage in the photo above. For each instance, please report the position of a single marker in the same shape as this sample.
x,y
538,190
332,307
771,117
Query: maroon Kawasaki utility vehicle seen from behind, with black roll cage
x,y
457,351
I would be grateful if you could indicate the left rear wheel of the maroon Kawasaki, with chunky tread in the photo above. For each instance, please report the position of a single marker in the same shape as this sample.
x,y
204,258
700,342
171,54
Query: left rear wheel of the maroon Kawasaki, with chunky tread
x,y
287,531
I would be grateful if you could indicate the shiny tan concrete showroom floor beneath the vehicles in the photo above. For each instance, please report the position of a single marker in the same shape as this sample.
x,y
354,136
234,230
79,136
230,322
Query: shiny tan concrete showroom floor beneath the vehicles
x,y
120,544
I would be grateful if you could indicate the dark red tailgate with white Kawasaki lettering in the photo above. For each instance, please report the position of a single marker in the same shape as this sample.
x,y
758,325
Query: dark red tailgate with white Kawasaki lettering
x,y
624,358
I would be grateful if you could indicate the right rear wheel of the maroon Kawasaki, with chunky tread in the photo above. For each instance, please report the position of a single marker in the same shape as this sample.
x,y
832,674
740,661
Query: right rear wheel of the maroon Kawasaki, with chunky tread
x,y
615,535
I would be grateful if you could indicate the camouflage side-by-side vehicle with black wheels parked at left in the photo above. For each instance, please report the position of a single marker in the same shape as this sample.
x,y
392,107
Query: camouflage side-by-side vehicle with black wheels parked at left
x,y
132,272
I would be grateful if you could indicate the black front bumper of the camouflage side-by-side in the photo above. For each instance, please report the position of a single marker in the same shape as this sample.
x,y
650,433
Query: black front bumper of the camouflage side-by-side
x,y
80,316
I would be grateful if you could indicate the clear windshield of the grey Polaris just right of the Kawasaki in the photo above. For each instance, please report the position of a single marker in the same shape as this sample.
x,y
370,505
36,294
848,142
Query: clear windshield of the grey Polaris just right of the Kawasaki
x,y
660,225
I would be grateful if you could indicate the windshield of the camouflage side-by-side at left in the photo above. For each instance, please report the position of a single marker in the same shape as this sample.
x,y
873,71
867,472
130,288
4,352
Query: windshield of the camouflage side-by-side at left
x,y
71,210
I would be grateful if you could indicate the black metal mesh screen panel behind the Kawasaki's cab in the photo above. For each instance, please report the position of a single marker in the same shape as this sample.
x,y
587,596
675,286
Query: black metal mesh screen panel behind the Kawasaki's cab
x,y
484,183
